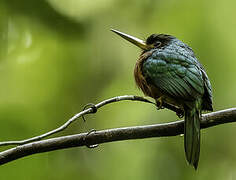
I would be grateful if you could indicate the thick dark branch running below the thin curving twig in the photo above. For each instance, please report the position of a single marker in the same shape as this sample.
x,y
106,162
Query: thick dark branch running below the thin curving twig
x,y
110,135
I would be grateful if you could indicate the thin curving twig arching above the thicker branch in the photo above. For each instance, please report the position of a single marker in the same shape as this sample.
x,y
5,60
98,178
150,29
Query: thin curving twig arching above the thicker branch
x,y
82,113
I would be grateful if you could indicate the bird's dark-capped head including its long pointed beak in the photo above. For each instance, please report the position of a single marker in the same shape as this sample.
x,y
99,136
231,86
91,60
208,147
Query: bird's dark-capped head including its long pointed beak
x,y
154,41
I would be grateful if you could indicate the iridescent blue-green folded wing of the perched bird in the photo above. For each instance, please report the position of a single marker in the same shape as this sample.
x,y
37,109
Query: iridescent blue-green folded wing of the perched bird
x,y
178,78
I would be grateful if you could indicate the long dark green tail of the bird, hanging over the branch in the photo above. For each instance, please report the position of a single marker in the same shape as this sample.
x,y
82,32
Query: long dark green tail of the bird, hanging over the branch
x,y
192,136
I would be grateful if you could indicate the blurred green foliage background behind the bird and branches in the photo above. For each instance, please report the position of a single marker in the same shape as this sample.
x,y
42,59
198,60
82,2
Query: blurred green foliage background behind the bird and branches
x,y
58,55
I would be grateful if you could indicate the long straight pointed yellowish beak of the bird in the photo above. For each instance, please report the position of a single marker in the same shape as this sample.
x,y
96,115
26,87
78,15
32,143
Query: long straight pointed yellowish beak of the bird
x,y
138,42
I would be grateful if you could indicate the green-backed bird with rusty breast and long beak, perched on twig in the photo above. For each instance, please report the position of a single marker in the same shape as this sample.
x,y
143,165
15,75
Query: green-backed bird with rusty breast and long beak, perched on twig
x,y
168,71
